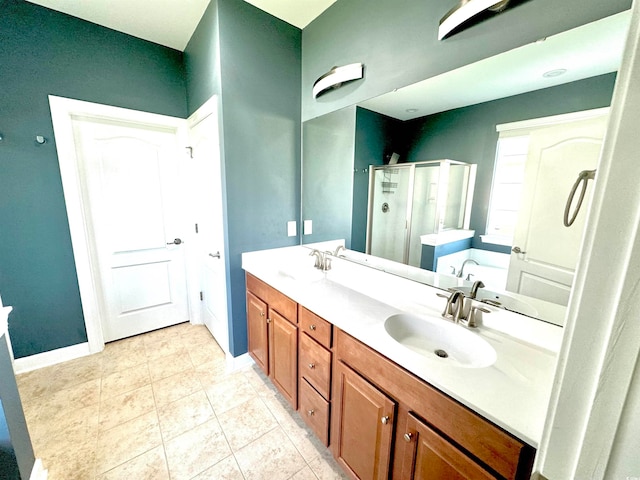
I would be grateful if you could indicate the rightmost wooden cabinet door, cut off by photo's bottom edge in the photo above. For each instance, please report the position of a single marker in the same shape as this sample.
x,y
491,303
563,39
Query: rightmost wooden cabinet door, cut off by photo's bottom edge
x,y
428,456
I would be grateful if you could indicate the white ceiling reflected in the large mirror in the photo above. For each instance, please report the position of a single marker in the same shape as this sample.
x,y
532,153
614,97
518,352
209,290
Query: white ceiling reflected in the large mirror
x,y
592,49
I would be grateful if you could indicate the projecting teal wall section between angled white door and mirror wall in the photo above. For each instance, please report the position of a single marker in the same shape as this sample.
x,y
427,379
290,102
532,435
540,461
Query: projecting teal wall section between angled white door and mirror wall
x,y
259,68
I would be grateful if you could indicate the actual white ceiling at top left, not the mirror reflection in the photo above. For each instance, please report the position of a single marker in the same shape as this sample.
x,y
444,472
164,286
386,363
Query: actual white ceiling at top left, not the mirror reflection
x,y
172,22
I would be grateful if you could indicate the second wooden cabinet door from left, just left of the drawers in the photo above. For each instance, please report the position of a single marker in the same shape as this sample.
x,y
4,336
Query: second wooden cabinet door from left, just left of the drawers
x,y
283,356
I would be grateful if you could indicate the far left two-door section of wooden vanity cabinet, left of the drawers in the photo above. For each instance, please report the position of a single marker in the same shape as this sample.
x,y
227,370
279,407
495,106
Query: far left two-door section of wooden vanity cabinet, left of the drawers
x,y
273,336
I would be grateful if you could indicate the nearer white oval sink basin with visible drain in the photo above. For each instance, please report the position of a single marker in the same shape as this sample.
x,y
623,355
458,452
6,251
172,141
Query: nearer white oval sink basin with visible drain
x,y
440,340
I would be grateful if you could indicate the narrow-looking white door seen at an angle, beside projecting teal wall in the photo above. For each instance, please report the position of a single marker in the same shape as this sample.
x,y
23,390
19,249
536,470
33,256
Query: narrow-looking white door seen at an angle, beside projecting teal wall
x,y
207,199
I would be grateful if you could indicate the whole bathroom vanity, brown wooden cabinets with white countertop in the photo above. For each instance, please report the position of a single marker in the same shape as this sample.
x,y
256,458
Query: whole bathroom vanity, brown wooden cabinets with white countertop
x,y
386,408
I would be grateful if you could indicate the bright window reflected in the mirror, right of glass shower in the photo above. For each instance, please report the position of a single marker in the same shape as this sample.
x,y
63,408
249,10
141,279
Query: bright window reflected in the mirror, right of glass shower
x,y
506,190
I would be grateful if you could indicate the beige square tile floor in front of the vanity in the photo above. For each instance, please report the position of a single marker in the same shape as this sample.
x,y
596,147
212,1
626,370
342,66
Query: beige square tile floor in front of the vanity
x,y
160,406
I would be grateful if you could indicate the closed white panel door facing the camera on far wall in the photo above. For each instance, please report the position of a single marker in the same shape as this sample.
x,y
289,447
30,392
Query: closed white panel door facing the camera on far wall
x,y
128,176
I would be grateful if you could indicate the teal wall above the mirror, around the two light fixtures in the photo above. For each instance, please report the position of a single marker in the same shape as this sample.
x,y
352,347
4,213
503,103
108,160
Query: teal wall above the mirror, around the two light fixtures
x,y
397,41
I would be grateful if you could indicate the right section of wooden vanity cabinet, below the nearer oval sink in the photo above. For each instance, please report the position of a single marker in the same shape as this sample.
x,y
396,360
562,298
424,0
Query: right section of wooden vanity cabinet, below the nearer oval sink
x,y
444,436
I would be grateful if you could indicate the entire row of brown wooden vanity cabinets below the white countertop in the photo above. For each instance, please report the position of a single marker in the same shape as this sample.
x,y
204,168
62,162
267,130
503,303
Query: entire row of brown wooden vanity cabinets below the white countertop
x,y
380,421
